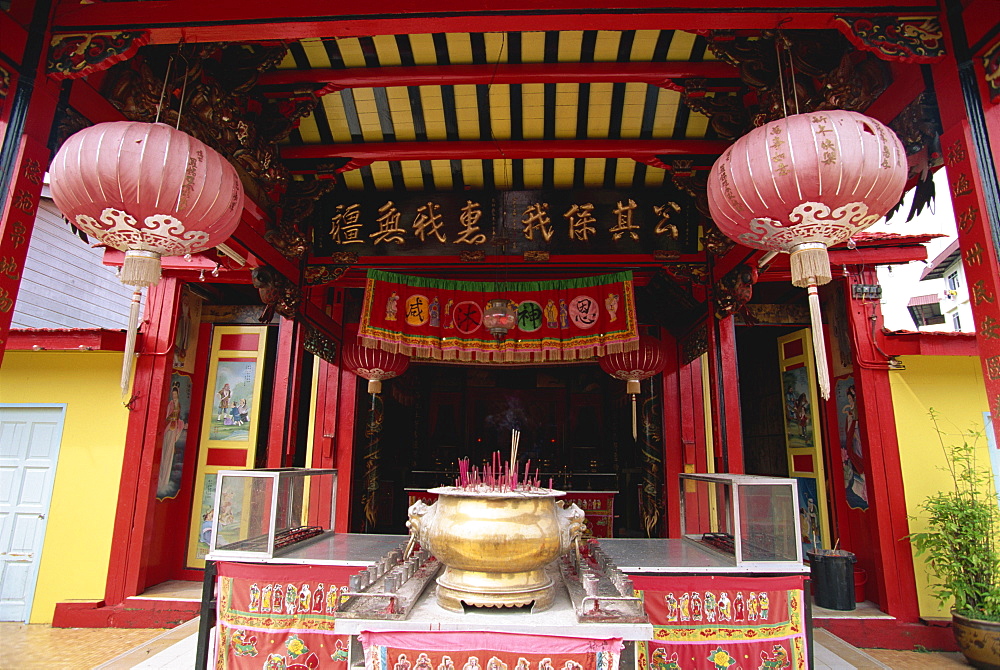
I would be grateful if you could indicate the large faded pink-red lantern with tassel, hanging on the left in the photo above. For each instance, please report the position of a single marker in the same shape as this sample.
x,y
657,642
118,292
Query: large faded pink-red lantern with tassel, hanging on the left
x,y
149,190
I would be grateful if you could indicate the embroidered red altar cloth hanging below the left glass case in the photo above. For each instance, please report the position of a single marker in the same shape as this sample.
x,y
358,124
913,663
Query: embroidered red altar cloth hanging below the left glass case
x,y
280,616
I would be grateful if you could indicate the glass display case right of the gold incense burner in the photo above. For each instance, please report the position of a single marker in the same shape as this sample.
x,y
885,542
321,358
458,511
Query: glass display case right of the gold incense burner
x,y
751,520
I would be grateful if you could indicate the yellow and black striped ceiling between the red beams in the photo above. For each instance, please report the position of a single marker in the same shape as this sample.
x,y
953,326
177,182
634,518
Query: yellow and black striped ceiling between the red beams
x,y
491,112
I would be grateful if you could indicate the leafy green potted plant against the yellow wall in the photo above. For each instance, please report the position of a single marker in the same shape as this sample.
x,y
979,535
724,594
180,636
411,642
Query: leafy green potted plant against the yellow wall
x,y
962,546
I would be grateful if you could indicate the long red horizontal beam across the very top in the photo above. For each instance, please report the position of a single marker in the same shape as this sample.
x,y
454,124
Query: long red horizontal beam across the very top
x,y
237,20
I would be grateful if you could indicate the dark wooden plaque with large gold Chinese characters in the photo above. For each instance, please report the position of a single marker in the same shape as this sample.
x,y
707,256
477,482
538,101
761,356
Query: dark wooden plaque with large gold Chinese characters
x,y
560,222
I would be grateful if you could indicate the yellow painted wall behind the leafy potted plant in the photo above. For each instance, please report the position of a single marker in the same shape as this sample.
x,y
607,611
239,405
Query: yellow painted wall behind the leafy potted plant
x,y
952,385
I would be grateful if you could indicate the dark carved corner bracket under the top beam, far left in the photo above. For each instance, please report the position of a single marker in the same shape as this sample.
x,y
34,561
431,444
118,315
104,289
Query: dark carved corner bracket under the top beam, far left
x,y
75,56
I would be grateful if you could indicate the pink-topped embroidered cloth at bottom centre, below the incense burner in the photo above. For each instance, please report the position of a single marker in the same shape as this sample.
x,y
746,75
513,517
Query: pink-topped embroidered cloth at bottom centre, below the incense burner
x,y
482,650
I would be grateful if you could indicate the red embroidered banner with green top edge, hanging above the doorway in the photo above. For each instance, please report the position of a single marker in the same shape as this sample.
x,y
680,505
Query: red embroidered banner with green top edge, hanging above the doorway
x,y
556,320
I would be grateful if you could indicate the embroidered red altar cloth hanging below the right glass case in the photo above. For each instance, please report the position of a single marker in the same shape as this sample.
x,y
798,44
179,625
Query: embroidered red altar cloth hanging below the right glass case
x,y
718,622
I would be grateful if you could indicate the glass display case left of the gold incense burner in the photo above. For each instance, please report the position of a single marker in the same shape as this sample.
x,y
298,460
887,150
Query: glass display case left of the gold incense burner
x,y
257,513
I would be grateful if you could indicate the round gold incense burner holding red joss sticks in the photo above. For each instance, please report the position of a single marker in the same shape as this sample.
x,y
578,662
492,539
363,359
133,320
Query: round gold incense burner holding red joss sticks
x,y
495,545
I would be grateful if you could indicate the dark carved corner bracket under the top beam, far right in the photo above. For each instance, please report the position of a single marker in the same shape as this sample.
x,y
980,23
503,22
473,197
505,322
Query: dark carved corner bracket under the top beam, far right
x,y
911,39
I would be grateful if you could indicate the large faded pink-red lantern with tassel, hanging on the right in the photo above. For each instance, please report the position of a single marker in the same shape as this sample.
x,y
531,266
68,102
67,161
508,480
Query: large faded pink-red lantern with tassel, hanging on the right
x,y
802,184
